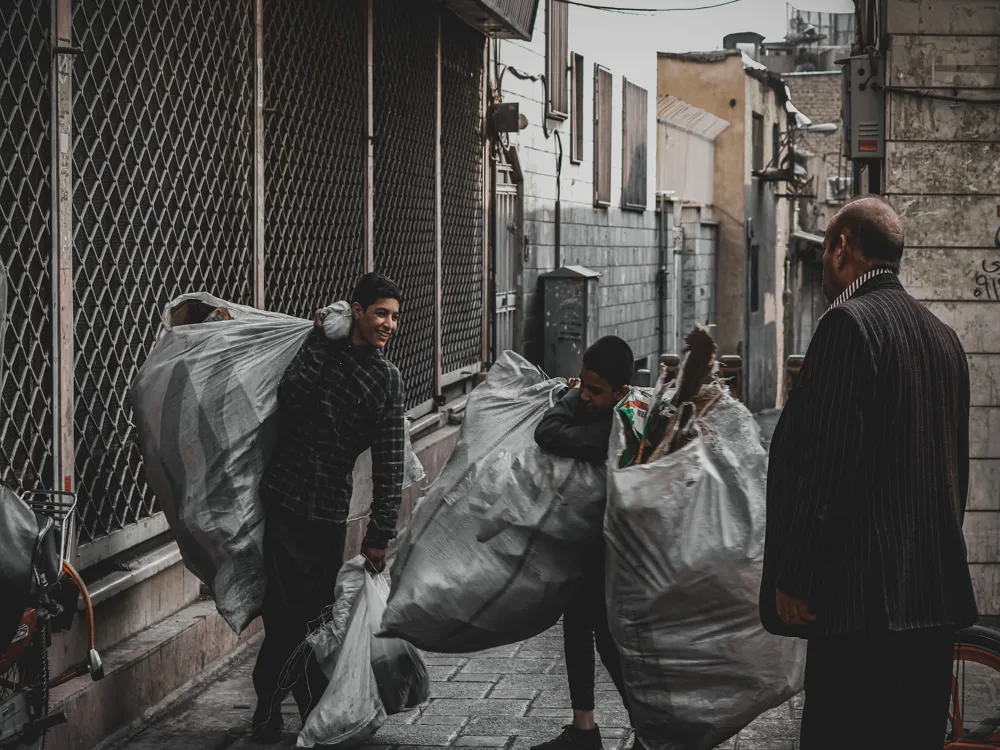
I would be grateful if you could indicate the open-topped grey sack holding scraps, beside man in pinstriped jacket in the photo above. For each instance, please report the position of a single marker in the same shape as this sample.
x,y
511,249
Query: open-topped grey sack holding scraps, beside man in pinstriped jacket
x,y
685,546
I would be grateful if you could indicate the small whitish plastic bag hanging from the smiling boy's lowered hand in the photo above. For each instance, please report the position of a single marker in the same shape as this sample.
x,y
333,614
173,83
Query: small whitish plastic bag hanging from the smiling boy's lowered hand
x,y
370,677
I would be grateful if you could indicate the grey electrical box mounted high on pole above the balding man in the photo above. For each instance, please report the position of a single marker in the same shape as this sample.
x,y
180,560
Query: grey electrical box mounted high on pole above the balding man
x,y
864,107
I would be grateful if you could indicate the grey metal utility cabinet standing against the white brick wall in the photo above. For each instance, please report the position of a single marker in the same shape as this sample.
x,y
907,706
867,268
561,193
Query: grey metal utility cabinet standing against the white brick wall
x,y
570,299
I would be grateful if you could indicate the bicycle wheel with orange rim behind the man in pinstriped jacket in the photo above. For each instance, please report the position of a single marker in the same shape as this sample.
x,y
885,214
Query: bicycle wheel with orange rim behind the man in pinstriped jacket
x,y
974,712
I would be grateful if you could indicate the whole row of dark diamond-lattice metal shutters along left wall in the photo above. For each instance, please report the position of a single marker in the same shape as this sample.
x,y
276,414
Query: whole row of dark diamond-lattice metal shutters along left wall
x,y
159,163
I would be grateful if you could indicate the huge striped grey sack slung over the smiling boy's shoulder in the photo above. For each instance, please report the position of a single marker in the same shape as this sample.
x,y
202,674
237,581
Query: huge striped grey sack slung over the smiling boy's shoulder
x,y
205,403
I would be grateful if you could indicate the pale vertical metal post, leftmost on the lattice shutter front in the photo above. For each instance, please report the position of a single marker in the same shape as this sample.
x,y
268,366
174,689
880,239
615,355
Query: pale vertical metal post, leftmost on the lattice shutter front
x,y
62,248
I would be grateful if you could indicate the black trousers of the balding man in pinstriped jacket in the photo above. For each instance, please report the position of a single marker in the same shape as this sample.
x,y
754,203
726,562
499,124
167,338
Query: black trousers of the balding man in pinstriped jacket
x,y
878,691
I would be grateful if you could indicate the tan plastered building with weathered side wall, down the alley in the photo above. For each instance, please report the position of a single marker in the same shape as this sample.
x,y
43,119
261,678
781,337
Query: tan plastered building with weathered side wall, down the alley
x,y
752,212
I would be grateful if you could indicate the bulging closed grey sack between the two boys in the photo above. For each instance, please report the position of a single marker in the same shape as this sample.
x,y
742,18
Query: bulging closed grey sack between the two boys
x,y
494,551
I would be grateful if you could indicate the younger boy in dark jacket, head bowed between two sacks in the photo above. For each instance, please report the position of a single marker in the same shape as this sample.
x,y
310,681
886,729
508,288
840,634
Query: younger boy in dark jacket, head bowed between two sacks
x,y
579,426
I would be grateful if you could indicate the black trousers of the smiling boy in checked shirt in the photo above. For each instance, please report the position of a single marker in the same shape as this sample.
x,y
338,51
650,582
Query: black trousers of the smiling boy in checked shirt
x,y
302,558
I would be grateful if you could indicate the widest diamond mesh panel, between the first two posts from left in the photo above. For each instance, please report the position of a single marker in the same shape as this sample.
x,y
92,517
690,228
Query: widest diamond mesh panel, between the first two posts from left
x,y
162,205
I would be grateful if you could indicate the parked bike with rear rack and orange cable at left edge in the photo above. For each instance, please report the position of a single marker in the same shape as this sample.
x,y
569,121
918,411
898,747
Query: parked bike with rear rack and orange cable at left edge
x,y
39,530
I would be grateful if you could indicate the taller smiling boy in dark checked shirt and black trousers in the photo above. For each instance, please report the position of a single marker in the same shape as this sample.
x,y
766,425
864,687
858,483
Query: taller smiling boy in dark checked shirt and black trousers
x,y
336,400
